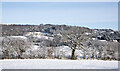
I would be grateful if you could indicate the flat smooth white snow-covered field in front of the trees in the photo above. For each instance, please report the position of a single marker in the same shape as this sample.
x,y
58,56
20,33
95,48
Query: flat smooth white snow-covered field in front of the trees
x,y
57,64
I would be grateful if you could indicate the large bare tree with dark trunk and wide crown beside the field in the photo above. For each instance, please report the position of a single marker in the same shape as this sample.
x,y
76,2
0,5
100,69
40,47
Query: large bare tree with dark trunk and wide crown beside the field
x,y
74,41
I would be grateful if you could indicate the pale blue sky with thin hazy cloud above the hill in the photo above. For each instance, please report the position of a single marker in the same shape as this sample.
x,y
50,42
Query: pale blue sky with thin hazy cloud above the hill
x,y
88,14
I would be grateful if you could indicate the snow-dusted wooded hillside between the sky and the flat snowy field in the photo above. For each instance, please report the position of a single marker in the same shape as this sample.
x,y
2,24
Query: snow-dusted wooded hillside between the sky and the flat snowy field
x,y
58,41
